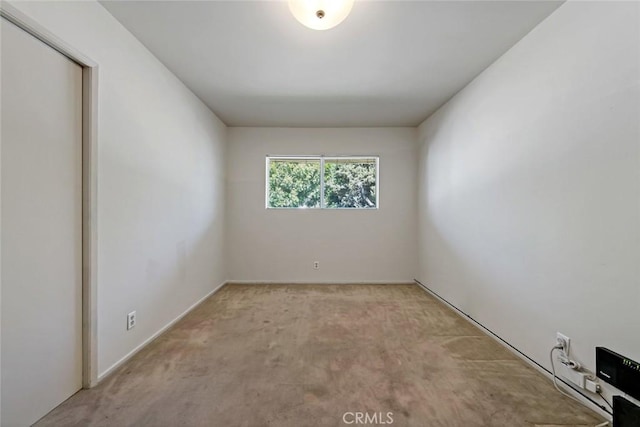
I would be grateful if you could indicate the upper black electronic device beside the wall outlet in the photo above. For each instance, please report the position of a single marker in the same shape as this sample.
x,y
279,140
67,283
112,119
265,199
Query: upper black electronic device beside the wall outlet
x,y
619,371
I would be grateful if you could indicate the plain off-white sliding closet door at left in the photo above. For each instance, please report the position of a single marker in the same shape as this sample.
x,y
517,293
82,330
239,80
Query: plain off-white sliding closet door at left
x,y
41,222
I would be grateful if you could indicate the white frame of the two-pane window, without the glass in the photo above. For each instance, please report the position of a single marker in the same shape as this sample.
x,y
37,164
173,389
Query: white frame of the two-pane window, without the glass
x,y
322,159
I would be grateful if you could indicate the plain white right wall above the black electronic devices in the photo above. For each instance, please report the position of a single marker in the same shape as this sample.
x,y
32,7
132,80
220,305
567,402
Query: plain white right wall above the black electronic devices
x,y
529,187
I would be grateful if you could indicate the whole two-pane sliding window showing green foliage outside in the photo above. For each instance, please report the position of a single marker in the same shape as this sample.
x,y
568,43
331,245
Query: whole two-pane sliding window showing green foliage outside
x,y
322,182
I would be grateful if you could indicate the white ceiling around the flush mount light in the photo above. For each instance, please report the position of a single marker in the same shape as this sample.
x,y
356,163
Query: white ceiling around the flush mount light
x,y
390,63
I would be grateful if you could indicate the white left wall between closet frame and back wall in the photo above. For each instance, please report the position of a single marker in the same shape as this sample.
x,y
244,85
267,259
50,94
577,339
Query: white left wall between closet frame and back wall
x,y
160,181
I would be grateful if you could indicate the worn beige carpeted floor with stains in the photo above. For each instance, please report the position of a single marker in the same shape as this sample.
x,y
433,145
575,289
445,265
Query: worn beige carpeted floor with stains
x,y
306,355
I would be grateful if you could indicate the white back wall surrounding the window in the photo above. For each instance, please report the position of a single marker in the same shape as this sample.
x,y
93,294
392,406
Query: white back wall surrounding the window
x,y
351,245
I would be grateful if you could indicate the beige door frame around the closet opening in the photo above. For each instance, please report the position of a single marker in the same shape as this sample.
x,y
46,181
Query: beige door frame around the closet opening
x,y
89,184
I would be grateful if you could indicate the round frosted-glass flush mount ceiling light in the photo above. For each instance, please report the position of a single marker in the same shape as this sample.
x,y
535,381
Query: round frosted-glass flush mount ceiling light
x,y
320,14
